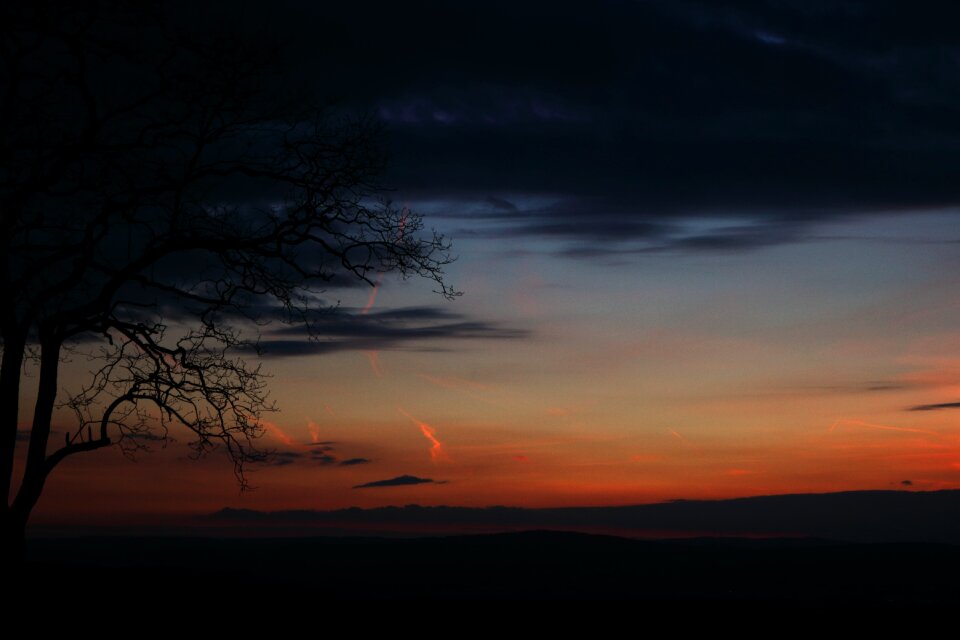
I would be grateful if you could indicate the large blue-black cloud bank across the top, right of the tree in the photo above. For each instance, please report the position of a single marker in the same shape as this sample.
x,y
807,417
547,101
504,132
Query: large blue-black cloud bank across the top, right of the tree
x,y
770,118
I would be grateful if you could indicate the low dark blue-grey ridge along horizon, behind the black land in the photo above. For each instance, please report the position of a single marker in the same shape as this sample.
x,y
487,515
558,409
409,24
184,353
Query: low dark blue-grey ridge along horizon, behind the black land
x,y
857,516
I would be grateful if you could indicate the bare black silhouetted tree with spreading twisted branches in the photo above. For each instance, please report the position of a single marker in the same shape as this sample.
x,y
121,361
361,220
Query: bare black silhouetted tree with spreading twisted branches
x,y
160,192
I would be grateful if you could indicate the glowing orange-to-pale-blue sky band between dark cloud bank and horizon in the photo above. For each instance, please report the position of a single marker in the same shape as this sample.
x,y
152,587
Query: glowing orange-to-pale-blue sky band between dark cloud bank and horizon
x,y
682,388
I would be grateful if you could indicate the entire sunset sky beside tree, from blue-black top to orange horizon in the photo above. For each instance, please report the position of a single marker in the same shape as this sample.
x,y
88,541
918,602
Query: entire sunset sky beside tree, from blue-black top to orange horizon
x,y
705,251
